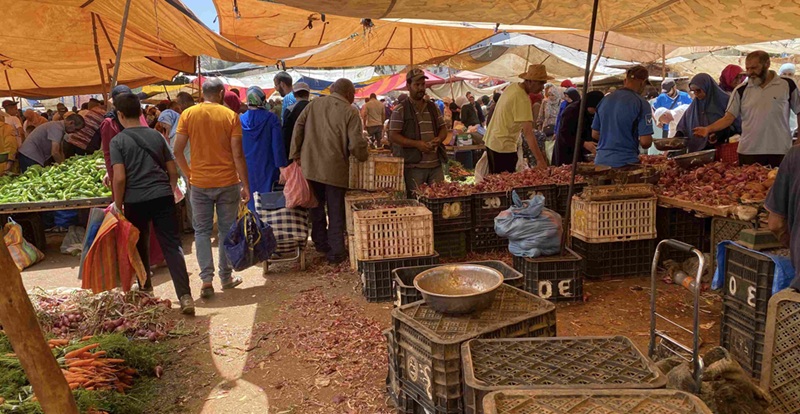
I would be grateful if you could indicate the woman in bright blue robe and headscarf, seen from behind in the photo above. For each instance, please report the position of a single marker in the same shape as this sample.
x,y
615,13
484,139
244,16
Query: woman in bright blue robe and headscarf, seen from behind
x,y
262,142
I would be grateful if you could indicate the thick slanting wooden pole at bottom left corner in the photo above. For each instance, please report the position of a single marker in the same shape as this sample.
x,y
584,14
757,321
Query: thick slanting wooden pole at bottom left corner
x,y
19,323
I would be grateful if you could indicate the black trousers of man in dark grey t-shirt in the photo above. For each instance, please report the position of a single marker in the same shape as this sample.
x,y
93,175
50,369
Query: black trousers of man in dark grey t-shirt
x,y
161,212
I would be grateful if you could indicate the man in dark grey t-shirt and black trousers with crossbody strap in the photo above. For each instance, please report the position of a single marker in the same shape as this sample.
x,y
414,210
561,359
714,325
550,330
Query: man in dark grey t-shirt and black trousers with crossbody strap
x,y
145,177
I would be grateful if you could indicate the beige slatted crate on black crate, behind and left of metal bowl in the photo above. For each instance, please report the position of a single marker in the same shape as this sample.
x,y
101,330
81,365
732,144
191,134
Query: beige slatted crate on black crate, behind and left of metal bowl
x,y
392,230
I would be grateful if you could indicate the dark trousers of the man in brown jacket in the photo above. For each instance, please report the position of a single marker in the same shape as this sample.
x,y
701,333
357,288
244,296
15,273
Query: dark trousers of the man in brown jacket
x,y
327,231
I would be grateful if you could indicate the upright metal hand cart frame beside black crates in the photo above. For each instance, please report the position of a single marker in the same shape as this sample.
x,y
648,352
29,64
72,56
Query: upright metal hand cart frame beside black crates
x,y
697,361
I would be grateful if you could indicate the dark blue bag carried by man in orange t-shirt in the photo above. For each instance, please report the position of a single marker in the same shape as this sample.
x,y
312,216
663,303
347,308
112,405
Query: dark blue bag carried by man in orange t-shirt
x,y
250,241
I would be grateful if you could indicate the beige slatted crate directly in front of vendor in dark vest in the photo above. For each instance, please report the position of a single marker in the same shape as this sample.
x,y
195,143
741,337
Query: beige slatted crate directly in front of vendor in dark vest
x,y
377,173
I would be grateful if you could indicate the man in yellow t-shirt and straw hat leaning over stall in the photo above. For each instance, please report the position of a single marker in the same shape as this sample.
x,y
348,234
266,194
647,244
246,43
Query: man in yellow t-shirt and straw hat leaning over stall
x,y
511,116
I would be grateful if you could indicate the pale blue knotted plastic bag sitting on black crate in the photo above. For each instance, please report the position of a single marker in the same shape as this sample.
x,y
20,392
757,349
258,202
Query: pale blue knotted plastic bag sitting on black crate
x,y
531,229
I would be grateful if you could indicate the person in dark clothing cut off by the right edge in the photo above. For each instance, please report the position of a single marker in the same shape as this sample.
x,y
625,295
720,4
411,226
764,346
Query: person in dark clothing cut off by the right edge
x,y
783,204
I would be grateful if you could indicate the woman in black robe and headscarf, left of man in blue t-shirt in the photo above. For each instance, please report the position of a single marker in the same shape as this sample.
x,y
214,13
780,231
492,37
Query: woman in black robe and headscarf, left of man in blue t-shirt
x,y
568,128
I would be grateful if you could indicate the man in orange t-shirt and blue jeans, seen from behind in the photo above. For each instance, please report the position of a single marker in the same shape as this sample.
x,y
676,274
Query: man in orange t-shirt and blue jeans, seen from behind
x,y
218,177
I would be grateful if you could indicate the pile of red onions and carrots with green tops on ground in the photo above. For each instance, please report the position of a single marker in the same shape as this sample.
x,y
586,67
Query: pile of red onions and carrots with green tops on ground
x,y
106,345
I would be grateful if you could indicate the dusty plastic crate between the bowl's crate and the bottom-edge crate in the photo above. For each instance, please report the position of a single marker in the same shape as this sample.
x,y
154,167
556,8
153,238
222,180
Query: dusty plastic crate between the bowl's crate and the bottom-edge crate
x,y
580,363
